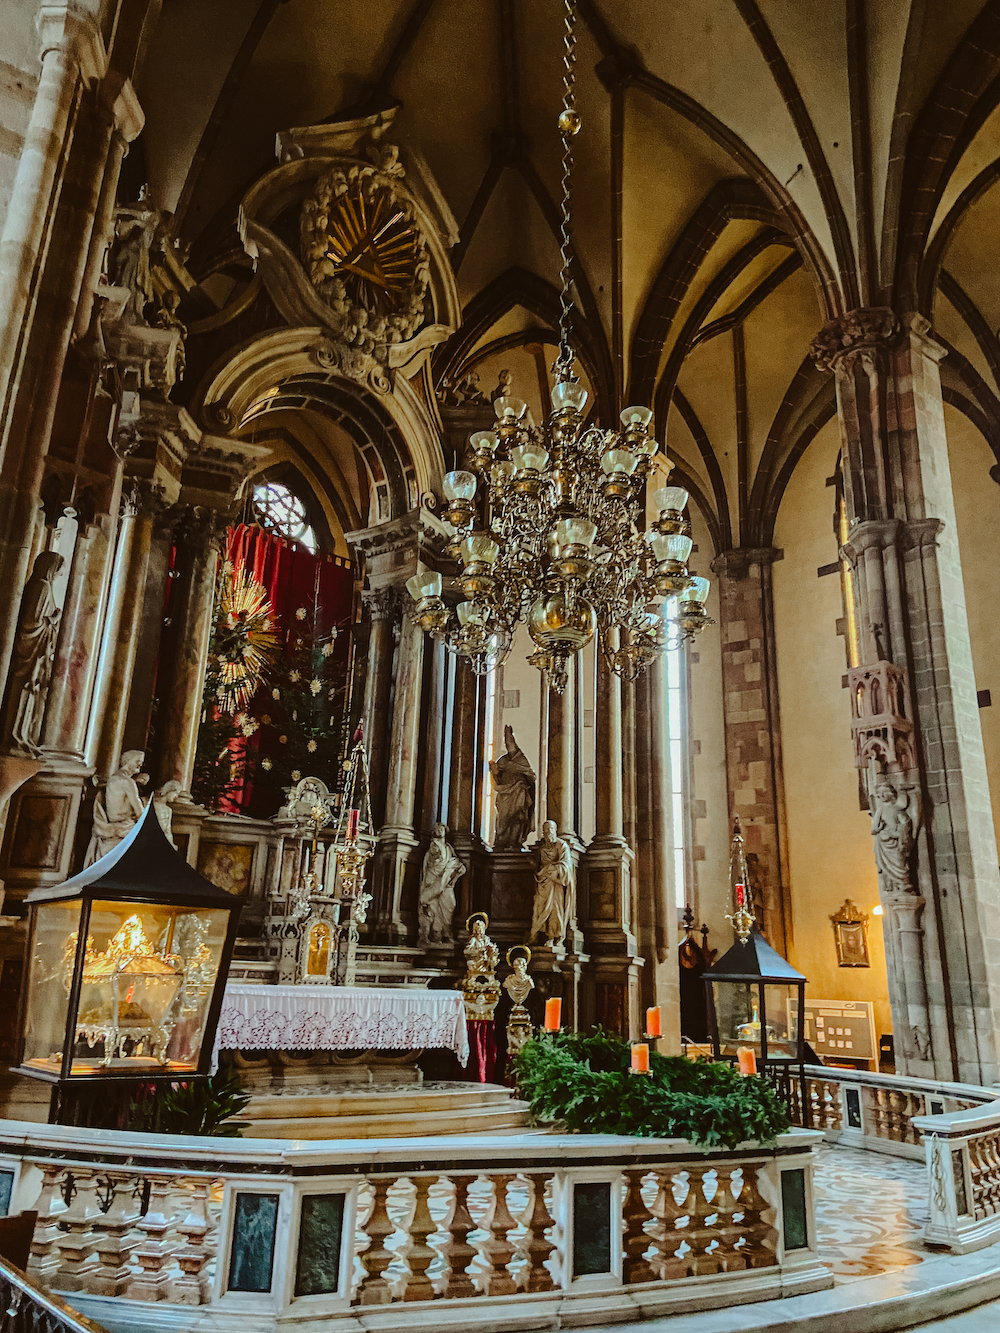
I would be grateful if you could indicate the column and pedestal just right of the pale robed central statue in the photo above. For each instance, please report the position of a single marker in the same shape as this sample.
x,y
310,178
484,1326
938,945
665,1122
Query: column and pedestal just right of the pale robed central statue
x,y
606,874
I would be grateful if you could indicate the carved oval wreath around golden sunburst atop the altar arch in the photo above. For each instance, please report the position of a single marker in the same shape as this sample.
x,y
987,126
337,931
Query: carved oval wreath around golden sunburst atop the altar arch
x,y
363,251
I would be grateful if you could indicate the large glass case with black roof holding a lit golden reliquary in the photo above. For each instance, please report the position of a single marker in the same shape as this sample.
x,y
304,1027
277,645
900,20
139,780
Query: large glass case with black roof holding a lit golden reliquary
x,y
126,967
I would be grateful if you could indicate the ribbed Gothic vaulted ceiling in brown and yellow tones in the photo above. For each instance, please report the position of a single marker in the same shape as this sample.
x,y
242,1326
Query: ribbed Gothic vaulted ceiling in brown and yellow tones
x,y
746,170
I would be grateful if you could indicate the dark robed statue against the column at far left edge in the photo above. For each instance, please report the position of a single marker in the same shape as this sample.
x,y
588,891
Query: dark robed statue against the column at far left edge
x,y
33,658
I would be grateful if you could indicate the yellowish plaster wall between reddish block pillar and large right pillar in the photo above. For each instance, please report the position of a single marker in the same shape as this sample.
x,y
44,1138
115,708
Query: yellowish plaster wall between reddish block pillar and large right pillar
x,y
830,850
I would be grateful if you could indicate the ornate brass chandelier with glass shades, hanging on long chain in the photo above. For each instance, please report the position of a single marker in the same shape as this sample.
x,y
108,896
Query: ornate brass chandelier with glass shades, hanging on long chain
x,y
550,522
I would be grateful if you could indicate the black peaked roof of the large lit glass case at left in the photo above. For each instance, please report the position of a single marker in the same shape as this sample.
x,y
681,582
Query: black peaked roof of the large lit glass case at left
x,y
143,868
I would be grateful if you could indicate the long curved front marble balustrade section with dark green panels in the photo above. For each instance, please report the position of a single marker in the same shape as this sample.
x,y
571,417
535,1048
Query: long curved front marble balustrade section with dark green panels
x,y
527,1224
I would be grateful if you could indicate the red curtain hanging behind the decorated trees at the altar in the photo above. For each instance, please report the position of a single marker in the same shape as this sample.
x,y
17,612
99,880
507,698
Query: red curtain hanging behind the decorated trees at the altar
x,y
294,578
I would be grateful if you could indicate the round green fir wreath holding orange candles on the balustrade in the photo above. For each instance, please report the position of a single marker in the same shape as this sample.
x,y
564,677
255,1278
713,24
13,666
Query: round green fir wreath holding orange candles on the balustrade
x,y
585,1084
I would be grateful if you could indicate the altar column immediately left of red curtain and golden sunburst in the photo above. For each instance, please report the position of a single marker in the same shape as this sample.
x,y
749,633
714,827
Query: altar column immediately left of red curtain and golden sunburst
x,y
181,706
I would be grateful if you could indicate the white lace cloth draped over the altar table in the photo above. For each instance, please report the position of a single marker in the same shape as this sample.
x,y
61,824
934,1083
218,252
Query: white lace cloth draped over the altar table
x,y
267,1018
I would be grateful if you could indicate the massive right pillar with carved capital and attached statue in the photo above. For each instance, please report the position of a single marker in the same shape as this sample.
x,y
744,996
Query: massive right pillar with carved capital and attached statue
x,y
925,752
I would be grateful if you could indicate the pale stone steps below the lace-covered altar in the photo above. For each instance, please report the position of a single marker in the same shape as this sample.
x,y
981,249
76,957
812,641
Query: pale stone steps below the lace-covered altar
x,y
386,1114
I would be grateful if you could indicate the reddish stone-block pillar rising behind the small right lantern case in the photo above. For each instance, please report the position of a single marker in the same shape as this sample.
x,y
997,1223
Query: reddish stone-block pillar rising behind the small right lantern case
x,y
753,727
